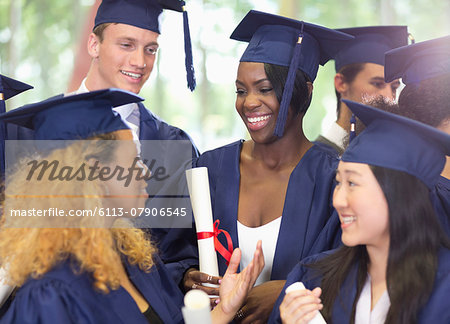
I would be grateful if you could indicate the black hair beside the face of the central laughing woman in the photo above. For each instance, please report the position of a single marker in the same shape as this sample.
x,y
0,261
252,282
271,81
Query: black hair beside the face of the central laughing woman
x,y
301,99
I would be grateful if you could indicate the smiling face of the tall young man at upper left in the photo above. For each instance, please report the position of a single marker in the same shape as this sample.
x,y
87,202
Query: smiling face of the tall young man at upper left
x,y
124,59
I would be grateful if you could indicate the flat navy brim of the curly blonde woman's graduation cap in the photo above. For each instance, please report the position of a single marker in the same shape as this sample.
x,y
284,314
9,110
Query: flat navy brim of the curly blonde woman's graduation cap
x,y
24,115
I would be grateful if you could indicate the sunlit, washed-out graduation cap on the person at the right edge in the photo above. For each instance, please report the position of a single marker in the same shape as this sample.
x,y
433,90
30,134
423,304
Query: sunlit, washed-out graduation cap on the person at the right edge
x,y
419,61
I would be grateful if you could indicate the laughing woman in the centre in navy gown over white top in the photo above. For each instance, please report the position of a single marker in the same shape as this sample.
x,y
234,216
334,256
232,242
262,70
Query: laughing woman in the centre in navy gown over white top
x,y
277,186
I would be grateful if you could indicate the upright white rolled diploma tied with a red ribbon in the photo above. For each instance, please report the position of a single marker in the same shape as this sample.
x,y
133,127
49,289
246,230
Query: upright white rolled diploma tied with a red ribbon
x,y
198,184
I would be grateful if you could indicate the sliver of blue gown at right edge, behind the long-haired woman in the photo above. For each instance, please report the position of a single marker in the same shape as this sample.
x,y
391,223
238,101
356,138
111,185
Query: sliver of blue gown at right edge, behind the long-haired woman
x,y
440,197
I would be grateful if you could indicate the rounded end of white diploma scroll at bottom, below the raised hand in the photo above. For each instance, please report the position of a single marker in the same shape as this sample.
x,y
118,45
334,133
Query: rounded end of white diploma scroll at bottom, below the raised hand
x,y
196,308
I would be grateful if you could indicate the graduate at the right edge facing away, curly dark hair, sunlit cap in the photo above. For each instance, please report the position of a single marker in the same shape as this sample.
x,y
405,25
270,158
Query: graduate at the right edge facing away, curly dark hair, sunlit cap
x,y
425,70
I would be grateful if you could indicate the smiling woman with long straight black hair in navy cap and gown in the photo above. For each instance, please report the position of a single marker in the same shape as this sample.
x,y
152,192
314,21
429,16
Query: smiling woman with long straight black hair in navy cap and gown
x,y
394,265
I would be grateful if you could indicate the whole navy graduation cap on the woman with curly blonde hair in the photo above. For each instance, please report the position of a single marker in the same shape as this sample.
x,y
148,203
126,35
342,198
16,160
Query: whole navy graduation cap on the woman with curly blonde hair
x,y
73,117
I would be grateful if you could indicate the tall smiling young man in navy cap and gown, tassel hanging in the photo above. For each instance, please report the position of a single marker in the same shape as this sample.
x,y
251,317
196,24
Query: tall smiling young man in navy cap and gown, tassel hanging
x,y
123,47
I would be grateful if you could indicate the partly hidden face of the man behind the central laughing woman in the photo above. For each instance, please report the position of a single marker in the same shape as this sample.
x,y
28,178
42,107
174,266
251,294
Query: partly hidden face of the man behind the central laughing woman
x,y
369,82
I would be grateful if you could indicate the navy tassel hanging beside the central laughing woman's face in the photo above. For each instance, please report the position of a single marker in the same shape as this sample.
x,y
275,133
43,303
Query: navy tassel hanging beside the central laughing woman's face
x,y
289,86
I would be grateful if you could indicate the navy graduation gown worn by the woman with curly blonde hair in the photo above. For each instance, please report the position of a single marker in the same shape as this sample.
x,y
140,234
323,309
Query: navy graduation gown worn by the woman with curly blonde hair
x,y
61,296
